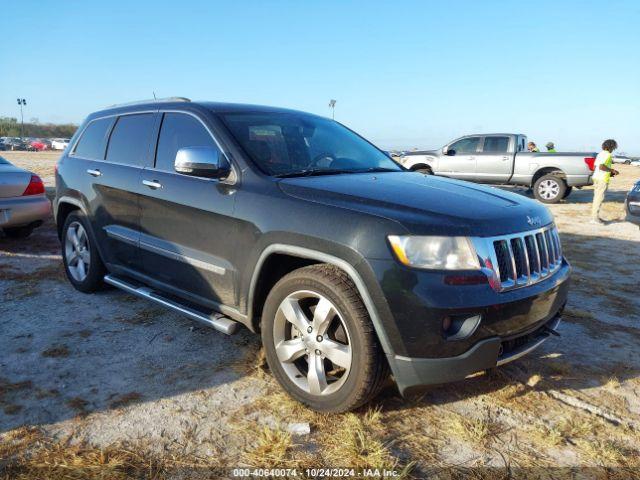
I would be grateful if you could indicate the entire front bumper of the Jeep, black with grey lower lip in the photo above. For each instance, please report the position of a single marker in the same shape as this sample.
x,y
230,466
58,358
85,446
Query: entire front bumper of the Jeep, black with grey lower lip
x,y
422,353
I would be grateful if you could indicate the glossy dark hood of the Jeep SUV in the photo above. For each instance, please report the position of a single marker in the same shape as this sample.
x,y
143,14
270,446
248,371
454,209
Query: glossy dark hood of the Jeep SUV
x,y
424,204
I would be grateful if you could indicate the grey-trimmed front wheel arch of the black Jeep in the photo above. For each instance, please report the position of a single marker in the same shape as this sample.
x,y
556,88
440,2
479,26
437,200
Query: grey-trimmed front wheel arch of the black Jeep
x,y
306,256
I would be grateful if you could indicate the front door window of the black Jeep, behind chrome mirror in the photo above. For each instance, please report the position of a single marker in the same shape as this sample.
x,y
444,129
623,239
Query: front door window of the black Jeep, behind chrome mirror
x,y
179,130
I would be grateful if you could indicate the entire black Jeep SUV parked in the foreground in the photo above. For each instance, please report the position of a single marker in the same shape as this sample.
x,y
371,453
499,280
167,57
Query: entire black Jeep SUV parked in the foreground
x,y
296,227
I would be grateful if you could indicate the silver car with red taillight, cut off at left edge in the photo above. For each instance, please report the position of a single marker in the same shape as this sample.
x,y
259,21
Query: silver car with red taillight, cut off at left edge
x,y
23,202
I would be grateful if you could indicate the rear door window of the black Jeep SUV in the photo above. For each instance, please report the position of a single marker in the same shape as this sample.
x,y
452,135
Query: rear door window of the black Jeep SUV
x,y
129,142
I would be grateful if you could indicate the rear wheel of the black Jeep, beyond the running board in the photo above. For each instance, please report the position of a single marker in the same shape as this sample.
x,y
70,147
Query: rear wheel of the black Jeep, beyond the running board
x,y
82,263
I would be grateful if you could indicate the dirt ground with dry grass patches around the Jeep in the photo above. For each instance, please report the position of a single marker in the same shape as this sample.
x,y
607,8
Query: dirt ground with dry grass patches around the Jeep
x,y
108,383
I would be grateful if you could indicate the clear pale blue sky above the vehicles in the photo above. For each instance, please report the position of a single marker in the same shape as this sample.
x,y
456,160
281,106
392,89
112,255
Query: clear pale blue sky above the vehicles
x,y
405,73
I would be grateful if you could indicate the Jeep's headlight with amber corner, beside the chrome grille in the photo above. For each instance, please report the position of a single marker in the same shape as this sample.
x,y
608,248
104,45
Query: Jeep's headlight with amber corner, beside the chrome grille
x,y
435,253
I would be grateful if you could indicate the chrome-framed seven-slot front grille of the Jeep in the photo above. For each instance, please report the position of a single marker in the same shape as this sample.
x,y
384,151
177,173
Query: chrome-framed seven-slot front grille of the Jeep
x,y
521,259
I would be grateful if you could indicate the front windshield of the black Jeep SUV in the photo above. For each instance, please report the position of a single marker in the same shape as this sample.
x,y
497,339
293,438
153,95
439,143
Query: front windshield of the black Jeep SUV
x,y
291,144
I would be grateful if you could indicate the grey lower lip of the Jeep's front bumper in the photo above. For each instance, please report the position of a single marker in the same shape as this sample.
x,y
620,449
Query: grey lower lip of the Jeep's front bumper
x,y
489,353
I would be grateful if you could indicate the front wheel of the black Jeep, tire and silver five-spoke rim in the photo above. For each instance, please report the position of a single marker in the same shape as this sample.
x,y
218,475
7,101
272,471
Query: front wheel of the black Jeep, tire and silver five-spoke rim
x,y
319,341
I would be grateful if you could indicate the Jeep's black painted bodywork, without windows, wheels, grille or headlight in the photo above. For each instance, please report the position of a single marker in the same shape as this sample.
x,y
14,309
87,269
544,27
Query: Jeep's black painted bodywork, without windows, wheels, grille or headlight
x,y
205,239
